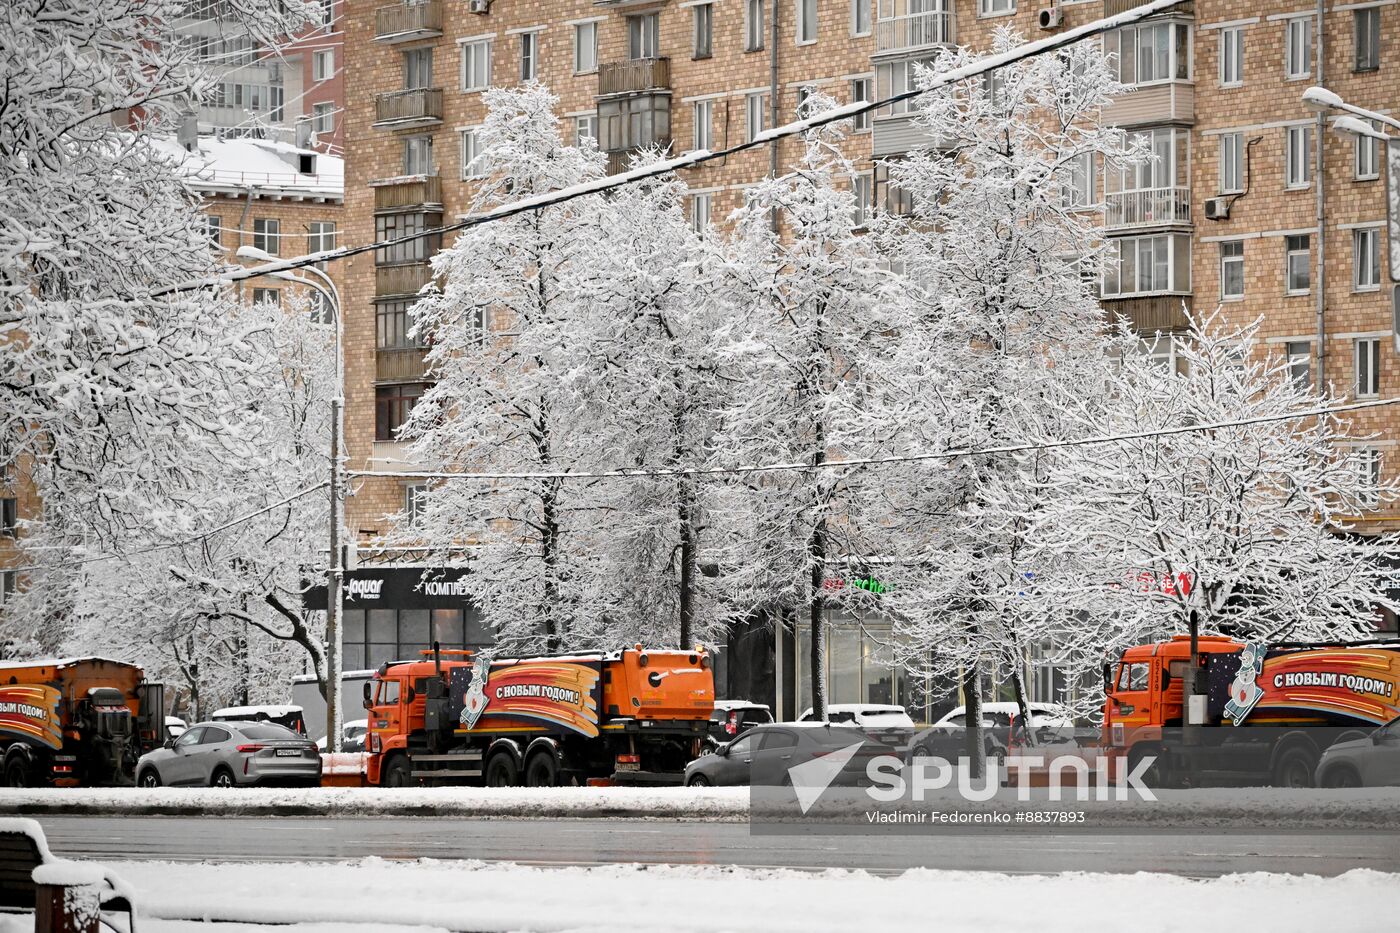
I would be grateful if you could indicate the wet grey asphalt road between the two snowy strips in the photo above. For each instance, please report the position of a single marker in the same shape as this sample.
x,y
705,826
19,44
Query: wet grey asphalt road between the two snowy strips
x,y
554,843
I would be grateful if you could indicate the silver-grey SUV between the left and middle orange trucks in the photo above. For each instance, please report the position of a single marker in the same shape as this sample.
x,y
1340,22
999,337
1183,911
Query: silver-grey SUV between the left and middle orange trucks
x,y
227,754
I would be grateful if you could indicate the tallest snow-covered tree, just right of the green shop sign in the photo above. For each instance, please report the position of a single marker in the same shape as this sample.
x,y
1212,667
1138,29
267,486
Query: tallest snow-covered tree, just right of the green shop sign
x,y
997,250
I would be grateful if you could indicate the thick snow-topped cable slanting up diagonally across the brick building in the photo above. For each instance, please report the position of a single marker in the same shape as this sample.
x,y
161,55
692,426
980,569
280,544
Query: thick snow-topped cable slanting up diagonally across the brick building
x,y
699,158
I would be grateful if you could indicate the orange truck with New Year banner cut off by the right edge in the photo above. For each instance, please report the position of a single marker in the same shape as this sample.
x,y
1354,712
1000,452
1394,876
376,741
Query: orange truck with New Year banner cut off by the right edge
x,y
1265,712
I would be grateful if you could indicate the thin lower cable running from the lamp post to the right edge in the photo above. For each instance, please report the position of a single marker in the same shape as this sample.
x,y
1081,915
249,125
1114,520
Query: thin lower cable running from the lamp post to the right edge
x,y
894,459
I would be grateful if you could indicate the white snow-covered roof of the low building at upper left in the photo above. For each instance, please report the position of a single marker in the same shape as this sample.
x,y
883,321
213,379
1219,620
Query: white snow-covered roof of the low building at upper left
x,y
237,165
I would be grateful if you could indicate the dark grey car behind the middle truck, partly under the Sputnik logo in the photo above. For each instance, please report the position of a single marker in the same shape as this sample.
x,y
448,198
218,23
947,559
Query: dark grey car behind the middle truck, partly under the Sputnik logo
x,y
766,753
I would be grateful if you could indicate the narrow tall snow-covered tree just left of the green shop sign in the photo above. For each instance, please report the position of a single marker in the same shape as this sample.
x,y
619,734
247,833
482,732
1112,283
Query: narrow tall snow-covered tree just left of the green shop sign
x,y
810,299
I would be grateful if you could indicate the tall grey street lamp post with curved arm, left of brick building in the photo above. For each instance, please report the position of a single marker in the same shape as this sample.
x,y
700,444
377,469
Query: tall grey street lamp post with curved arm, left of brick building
x,y
337,565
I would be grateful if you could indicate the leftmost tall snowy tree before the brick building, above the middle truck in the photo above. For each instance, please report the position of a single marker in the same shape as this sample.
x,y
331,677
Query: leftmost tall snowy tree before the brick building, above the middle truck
x,y
499,355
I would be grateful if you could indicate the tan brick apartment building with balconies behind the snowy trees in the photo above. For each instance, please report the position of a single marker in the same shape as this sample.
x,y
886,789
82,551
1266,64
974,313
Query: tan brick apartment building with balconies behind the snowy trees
x,y
1214,88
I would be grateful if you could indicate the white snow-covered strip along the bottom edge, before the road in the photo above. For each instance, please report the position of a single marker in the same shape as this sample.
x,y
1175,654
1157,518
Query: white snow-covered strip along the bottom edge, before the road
x,y
374,894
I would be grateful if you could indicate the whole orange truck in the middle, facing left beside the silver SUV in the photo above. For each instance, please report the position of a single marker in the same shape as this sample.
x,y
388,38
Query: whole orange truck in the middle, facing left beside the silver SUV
x,y
635,717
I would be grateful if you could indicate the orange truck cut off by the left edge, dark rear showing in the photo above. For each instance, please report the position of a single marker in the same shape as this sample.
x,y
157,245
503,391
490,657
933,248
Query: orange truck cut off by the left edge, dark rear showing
x,y
76,722
